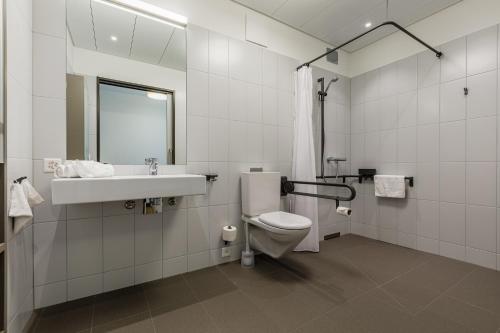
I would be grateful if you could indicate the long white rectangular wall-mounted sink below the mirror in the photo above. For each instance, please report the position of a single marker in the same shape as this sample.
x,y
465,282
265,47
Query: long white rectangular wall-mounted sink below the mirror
x,y
84,190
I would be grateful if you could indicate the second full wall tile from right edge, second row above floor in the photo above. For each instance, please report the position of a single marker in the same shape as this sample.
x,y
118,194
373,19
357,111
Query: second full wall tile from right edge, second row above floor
x,y
452,223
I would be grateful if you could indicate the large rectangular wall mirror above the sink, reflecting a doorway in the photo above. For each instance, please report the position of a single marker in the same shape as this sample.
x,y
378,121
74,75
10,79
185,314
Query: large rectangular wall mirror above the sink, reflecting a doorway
x,y
126,86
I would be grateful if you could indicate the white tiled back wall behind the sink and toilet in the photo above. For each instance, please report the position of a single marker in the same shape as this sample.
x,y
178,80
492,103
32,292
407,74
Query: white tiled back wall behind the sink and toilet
x,y
240,115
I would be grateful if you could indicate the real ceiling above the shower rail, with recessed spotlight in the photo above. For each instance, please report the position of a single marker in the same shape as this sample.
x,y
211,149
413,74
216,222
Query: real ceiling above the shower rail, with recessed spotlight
x,y
337,21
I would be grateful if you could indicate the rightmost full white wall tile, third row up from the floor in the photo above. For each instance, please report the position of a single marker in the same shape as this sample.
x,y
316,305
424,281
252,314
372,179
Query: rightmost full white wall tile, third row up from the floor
x,y
481,184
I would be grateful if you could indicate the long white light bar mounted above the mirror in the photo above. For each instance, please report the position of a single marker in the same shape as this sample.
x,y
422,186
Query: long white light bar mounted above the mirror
x,y
147,10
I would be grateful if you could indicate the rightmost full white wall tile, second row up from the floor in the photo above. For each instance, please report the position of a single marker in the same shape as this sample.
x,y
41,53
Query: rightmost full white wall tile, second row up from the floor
x,y
482,228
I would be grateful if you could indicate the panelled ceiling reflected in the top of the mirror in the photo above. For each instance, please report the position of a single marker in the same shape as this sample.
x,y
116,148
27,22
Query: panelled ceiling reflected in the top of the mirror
x,y
91,25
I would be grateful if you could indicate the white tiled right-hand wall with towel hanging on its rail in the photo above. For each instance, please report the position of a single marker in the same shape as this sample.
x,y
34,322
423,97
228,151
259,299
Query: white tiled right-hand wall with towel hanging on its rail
x,y
446,140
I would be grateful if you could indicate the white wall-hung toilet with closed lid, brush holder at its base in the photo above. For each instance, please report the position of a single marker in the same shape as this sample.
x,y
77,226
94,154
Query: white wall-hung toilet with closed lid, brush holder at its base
x,y
268,229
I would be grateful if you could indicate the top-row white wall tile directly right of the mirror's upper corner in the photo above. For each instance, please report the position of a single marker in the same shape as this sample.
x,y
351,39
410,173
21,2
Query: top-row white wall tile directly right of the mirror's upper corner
x,y
197,46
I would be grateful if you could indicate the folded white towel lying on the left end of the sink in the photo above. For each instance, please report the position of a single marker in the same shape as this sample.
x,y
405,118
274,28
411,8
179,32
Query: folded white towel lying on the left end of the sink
x,y
84,169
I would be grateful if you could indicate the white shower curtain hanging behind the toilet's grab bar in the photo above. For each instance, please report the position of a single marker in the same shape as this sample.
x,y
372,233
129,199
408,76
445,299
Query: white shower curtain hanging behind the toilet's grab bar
x,y
303,162
